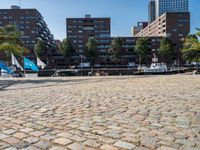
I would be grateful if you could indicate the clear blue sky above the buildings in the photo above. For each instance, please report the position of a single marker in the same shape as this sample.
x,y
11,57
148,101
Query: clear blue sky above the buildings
x,y
123,13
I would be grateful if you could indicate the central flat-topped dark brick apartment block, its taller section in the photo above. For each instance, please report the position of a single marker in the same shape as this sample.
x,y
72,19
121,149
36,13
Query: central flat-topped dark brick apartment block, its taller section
x,y
79,30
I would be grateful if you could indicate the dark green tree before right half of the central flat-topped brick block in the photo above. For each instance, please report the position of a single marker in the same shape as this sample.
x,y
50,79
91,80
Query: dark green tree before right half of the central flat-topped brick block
x,y
91,52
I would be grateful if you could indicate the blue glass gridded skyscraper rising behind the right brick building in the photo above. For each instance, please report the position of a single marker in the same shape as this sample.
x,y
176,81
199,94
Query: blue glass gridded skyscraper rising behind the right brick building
x,y
163,6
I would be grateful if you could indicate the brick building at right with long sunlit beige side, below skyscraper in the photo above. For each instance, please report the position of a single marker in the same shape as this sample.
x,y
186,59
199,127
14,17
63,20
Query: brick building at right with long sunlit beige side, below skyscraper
x,y
175,26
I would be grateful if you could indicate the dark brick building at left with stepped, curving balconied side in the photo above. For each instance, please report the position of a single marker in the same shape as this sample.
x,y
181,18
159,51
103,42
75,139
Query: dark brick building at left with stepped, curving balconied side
x,y
31,25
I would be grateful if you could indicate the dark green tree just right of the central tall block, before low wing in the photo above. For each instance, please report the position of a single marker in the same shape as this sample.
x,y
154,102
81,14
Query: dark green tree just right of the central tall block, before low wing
x,y
116,49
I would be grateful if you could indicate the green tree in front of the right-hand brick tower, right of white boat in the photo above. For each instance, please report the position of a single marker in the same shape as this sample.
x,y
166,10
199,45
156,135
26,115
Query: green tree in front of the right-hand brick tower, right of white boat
x,y
166,48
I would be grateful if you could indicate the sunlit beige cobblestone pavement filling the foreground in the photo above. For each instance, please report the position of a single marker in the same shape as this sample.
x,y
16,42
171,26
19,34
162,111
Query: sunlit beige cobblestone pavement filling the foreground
x,y
109,113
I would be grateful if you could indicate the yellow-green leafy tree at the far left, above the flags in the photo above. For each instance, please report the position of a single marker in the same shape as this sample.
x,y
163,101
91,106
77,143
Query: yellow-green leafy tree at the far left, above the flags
x,y
10,42
